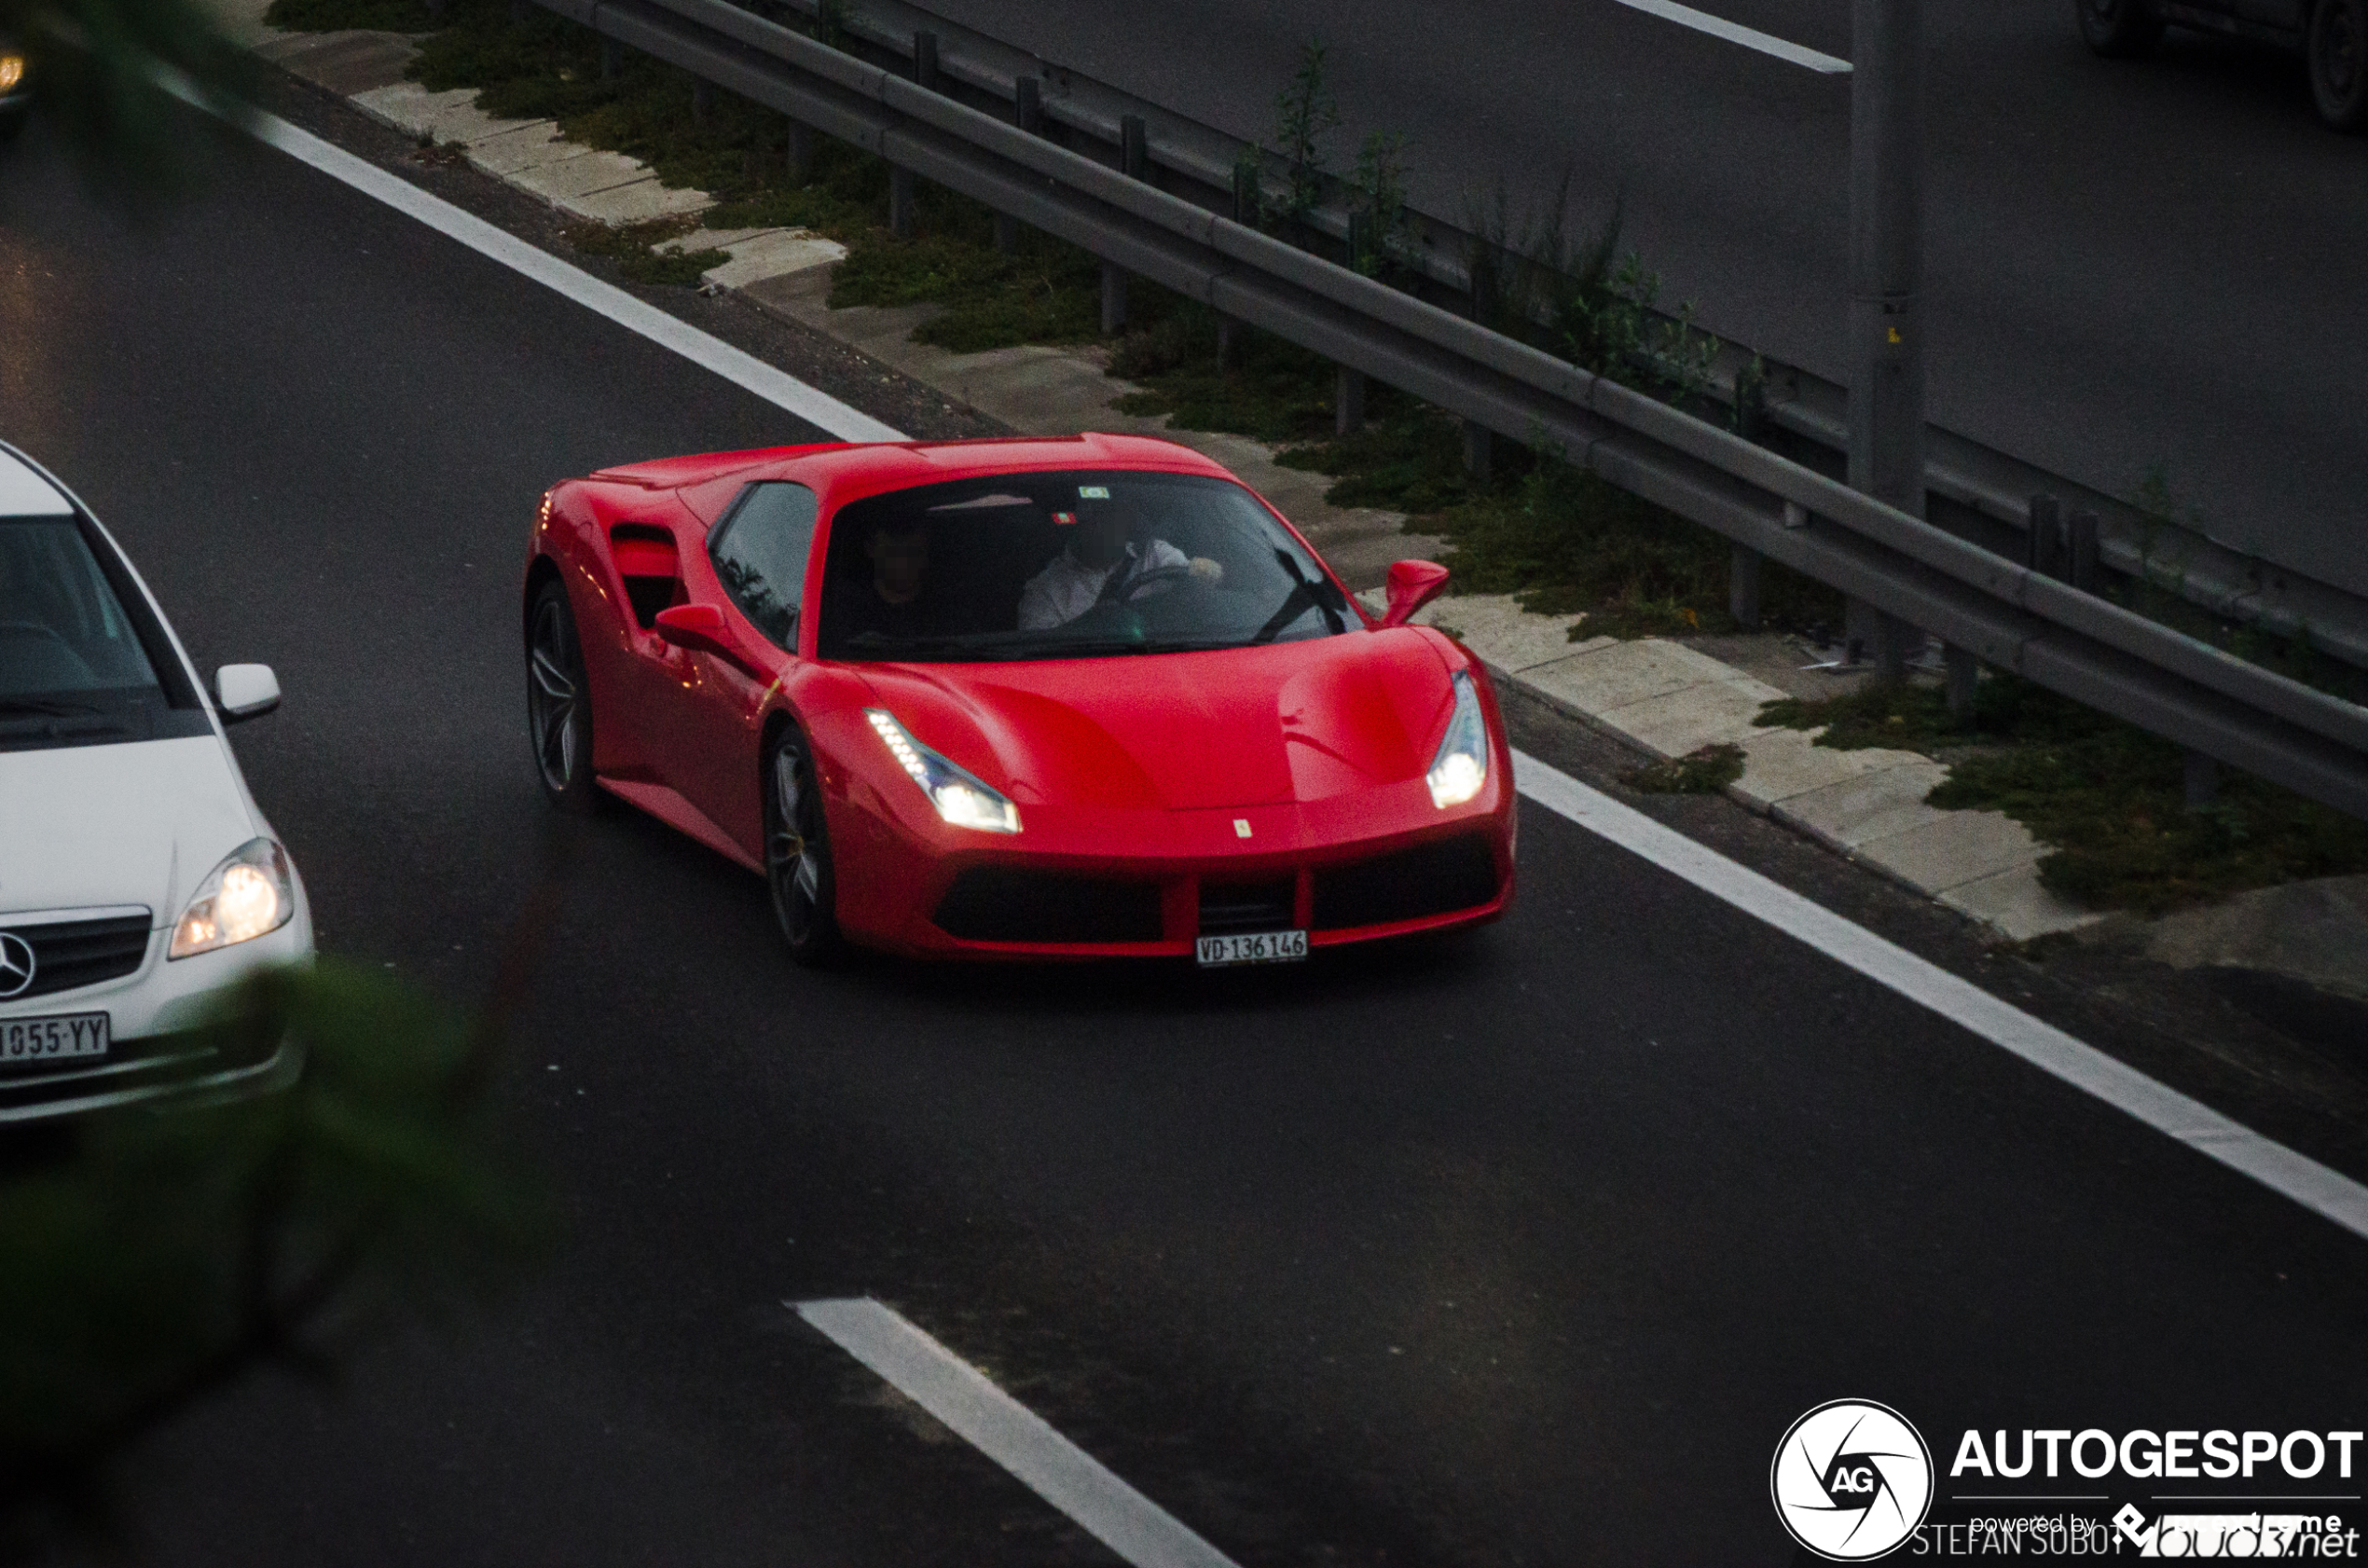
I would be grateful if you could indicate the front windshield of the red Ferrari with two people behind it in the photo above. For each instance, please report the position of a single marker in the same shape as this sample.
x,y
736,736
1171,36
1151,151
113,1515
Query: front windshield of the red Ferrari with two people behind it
x,y
1069,565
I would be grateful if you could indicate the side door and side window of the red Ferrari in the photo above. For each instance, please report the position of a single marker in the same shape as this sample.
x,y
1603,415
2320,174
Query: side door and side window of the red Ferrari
x,y
759,553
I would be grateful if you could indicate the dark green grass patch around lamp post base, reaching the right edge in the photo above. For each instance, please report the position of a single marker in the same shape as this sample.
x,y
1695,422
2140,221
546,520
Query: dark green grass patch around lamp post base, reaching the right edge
x,y
2109,799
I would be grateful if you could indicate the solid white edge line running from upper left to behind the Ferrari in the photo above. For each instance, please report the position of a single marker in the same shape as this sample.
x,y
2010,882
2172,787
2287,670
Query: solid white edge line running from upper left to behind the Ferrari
x,y
631,314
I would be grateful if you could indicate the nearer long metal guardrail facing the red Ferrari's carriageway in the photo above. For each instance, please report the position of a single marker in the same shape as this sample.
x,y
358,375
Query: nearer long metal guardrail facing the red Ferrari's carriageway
x,y
2009,617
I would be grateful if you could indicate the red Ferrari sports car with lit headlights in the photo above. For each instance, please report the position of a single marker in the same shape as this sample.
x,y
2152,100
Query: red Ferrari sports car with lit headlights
x,y
1015,700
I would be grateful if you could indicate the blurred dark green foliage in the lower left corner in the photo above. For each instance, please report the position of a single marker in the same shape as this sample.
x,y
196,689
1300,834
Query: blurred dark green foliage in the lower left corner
x,y
162,1254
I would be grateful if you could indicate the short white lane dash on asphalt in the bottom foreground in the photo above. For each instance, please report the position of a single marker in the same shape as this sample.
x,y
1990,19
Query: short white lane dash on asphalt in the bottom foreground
x,y
1012,1437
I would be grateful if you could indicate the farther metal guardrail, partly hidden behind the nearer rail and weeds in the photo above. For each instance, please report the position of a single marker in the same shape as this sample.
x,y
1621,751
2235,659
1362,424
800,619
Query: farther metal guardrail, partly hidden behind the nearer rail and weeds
x,y
1974,489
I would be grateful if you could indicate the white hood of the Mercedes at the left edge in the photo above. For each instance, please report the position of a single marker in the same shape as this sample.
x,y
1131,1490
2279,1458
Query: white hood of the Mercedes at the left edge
x,y
117,825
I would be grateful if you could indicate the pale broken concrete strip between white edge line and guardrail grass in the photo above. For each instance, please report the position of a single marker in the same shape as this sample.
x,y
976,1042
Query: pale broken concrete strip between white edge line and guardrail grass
x,y
1661,698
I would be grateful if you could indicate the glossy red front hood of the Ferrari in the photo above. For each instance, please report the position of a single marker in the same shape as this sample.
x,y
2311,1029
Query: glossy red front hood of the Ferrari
x,y
1299,721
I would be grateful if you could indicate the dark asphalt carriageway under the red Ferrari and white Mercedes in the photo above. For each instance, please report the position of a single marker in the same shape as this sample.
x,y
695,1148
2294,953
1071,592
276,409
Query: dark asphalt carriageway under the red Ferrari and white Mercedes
x,y
1512,1249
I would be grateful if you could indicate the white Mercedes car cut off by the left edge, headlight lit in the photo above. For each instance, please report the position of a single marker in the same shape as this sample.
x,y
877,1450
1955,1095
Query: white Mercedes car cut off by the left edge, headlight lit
x,y
139,880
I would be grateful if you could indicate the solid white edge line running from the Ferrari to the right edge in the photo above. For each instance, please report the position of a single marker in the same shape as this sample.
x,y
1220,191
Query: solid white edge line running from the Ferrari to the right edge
x,y
1964,1003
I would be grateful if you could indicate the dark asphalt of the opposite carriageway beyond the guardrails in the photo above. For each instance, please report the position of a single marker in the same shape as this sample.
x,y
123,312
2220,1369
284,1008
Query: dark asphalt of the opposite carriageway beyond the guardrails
x,y
2128,264
